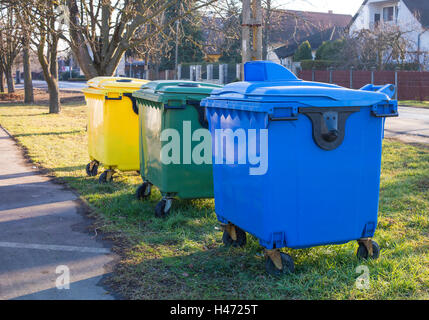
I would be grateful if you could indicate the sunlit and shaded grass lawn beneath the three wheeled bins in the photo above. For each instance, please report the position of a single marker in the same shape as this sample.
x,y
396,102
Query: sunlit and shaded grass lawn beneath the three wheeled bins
x,y
182,256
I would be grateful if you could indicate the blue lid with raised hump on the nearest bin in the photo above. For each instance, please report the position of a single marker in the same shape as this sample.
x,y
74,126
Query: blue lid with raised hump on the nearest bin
x,y
267,84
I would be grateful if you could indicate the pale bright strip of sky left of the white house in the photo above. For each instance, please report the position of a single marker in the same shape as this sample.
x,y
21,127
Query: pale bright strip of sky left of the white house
x,y
337,6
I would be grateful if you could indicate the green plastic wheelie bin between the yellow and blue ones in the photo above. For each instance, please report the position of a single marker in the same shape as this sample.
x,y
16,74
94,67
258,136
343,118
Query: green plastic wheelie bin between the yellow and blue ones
x,y
175,145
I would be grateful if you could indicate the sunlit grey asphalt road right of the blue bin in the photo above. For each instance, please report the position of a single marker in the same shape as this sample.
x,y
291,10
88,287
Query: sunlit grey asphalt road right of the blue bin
x,y
412,125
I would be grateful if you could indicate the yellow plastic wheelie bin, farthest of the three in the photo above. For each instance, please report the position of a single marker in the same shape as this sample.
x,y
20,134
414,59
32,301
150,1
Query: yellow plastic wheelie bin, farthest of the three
x,y
113,128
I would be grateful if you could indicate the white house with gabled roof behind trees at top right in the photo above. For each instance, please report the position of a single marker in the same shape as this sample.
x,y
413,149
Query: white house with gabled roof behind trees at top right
x,y
410,16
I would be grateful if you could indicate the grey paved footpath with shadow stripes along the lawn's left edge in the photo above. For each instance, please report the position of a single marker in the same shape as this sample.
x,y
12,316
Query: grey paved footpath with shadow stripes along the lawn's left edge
x,y
43,229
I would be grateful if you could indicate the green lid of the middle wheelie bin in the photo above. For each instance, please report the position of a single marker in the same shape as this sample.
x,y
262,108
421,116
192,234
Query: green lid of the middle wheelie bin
x,y
164,90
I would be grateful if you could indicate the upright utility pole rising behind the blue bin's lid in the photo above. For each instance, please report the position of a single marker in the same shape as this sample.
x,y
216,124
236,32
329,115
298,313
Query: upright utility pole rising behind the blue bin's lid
x,y
251,31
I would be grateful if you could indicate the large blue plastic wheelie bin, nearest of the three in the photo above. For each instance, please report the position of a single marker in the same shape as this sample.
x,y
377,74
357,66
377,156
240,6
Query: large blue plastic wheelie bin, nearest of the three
x,y
297,163
